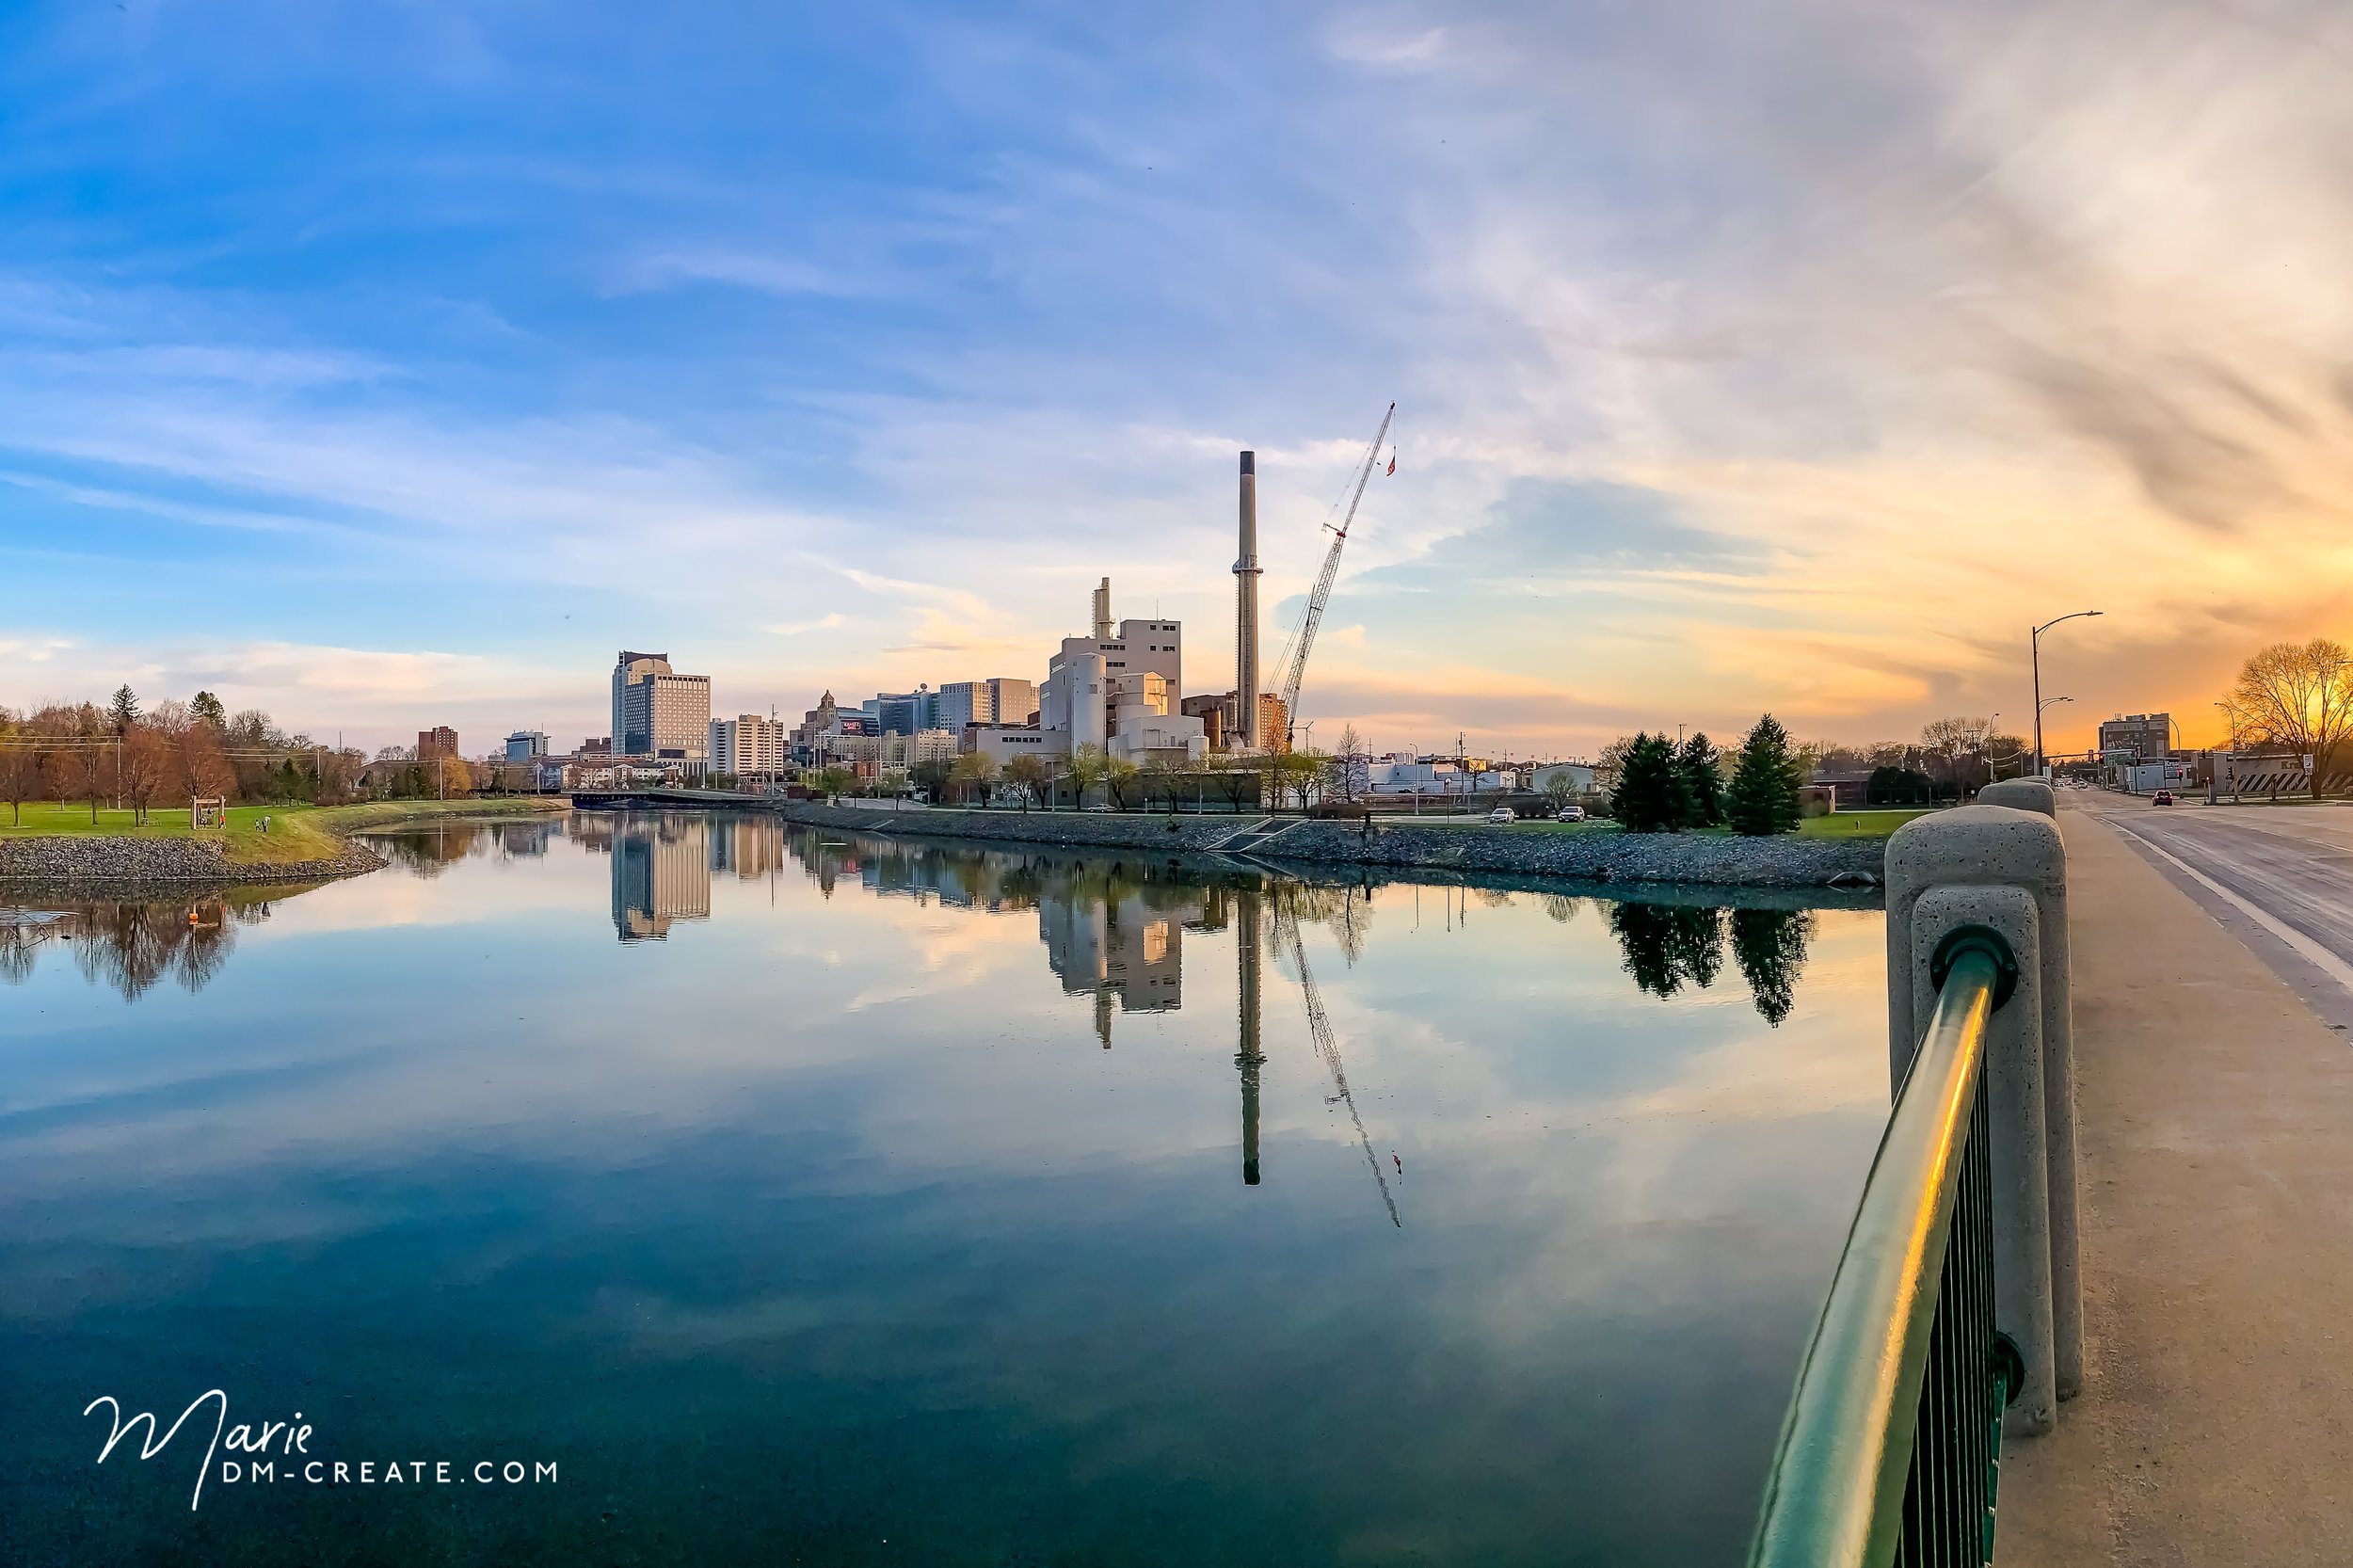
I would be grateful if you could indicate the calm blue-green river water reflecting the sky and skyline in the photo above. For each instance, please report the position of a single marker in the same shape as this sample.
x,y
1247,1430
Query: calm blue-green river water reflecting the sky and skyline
x,y
844,1202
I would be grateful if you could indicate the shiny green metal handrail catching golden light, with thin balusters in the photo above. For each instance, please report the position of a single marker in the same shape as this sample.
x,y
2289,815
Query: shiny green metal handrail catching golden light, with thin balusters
x,y
1839,1484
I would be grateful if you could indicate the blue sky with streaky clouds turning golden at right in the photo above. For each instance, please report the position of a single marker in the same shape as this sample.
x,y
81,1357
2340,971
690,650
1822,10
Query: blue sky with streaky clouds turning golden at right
x,y
387,366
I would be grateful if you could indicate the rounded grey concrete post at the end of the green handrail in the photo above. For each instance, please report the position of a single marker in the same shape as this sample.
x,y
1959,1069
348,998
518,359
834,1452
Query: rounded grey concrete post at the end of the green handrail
x,y
2006,868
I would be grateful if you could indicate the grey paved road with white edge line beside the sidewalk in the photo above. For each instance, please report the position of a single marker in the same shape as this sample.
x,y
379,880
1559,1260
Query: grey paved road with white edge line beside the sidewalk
x,y
2279,877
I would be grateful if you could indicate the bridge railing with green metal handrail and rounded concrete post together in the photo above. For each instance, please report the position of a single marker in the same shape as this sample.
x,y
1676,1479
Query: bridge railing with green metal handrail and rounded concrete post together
x,y
1952,1315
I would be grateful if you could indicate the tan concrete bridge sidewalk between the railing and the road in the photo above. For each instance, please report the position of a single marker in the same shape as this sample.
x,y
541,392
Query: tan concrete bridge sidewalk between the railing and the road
x,y
2215,1141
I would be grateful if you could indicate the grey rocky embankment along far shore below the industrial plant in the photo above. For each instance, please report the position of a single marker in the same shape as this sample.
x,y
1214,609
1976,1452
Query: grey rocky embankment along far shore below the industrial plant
x,y
1399,844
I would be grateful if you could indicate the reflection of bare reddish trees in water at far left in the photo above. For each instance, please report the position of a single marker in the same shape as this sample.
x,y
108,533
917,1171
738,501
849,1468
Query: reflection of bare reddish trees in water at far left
x,y
133,945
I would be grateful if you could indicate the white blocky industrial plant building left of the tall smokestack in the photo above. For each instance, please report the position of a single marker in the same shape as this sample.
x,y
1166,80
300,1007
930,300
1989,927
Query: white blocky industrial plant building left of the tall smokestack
x,y
1119,691
